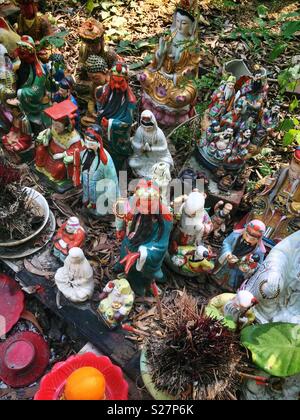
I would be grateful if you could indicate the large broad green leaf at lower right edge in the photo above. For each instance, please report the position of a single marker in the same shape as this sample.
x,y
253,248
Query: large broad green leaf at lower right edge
x,y
275,347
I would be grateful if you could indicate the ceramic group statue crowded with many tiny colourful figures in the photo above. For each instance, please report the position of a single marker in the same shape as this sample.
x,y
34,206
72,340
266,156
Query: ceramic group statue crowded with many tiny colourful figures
x,y
236,125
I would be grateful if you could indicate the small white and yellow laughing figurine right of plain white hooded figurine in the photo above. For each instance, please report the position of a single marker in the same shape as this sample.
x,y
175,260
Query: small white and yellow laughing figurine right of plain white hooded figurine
x,y
116,302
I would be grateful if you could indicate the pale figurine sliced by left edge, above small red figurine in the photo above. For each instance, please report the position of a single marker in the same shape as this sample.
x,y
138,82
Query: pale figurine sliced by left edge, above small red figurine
x,y
7,89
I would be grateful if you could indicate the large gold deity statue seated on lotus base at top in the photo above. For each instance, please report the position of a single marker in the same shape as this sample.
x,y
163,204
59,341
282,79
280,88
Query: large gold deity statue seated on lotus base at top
x,y
168,88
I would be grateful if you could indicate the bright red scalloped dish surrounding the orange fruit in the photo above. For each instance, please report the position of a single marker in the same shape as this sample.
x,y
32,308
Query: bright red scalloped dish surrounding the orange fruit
x,y
52,385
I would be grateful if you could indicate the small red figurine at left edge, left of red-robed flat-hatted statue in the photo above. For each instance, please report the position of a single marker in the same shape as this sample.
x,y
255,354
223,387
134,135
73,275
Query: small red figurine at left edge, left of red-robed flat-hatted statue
x,y
19,138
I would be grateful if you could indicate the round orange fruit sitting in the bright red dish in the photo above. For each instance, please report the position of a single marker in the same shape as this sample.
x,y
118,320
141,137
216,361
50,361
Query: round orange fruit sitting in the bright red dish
x,y
86,383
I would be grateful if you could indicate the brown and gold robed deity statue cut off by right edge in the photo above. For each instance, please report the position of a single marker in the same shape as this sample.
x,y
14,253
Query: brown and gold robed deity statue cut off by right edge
x,y
276,201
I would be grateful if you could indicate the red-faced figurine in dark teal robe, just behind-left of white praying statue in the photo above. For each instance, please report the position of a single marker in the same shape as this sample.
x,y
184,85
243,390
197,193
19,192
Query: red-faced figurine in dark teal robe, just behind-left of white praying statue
x,y
116,103
